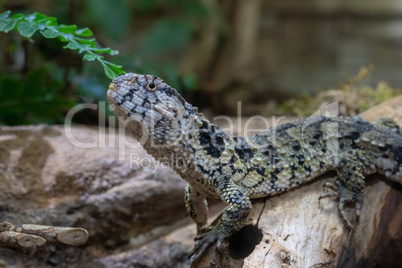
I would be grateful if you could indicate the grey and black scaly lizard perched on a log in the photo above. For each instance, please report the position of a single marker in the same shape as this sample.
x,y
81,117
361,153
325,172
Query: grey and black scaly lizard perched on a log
x,y
237,169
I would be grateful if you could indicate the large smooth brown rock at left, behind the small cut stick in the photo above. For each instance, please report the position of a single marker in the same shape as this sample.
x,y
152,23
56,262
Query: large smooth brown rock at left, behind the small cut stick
x,y
120,196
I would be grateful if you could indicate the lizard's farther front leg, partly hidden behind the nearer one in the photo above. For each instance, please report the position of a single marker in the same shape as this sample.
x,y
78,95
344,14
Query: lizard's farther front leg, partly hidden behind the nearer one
x,y
197,207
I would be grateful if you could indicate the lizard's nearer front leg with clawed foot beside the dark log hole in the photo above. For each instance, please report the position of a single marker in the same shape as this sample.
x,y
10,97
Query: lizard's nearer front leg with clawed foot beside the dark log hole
x,y
232,220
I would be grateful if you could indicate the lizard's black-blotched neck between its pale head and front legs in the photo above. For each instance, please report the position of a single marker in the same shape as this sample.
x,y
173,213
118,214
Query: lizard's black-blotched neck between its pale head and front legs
x,y
189,143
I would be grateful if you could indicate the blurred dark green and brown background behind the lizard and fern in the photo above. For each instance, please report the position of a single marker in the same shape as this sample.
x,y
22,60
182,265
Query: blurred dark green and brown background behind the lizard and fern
x,y
275,56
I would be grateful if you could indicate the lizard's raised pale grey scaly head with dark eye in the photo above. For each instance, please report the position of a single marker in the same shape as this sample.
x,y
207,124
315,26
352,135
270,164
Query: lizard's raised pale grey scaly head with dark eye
x,y
148,106
